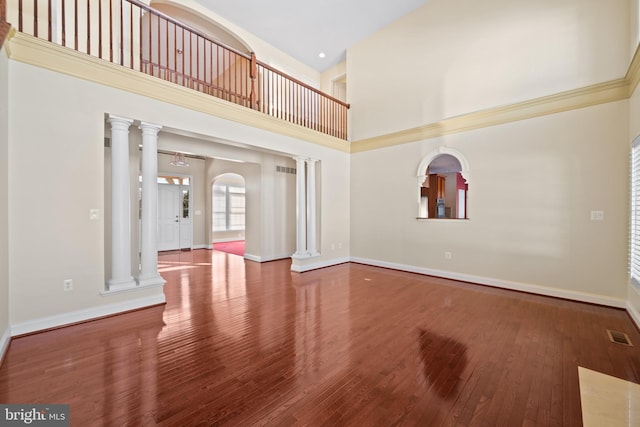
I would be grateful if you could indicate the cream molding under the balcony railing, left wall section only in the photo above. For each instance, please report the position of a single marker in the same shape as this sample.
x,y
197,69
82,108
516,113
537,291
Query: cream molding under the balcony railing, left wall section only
x,y
41,53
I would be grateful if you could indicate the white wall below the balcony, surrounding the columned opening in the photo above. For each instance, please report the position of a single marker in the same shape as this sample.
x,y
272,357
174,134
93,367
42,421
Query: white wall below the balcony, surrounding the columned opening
x,y
57,158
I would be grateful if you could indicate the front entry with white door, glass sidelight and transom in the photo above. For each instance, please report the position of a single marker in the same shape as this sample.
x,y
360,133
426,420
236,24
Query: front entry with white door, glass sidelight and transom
x,y
175,222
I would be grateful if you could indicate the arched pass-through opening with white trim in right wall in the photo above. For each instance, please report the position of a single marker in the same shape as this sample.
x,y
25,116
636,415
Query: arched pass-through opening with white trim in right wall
x,y
443,184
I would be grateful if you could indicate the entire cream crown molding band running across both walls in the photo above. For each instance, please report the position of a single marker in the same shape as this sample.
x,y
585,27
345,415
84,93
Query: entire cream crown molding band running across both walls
x,y
31,50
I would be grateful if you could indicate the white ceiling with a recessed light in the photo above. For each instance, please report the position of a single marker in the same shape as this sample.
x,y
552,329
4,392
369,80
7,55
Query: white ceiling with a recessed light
x,y
303,29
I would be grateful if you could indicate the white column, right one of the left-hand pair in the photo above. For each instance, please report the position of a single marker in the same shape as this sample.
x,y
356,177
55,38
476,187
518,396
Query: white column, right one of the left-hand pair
x,y
149,275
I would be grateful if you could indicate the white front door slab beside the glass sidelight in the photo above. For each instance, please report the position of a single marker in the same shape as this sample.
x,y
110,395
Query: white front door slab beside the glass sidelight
x,y
169,203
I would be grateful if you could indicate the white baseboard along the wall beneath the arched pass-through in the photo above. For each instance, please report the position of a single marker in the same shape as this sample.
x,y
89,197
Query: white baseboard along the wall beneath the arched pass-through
x,y
504,284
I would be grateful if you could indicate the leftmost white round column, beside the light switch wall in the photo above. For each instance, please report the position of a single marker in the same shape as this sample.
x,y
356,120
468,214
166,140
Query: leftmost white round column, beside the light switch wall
x,y
120,206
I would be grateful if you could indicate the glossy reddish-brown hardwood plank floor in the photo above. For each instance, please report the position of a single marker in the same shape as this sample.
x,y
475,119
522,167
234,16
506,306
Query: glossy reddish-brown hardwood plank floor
x,y
242,343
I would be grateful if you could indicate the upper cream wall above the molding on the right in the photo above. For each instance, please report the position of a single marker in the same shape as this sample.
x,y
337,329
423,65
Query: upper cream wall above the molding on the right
x,y
450,58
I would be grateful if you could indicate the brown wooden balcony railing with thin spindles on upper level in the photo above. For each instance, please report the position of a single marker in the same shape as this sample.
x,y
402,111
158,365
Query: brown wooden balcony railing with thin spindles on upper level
x,y
133,35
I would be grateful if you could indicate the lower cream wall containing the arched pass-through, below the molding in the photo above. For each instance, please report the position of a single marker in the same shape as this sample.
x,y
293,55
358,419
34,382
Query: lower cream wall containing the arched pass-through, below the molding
x,y
532,185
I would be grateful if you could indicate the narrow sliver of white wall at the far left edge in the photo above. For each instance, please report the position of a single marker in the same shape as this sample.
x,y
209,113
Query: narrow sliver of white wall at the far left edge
x,y
4,202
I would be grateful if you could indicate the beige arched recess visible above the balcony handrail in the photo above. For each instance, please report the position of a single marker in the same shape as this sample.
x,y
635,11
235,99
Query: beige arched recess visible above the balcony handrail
x,y
205,25
